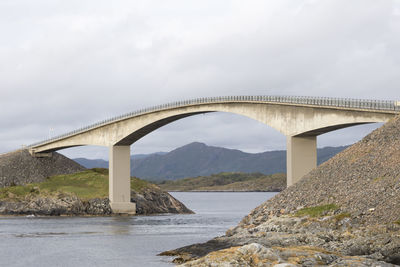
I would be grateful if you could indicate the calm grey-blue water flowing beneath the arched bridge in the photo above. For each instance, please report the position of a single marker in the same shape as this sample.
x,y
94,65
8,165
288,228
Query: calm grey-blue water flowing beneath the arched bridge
x,y
121,241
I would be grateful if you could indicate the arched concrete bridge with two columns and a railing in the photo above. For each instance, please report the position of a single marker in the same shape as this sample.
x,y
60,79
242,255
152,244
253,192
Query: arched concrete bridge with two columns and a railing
x,y
300,119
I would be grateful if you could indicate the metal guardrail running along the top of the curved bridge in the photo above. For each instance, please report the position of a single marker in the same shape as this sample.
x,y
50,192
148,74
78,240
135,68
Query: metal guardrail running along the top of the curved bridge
x,y
378,105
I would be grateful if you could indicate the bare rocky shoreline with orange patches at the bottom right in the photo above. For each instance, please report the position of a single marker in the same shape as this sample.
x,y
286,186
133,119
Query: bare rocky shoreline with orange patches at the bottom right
x,y
333,240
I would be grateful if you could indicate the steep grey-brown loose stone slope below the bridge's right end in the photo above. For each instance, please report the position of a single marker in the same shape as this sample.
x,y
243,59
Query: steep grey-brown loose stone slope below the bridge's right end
x,y
363,180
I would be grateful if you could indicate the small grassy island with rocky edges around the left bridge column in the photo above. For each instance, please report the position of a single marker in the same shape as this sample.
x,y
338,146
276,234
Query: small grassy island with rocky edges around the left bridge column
x,y
58,186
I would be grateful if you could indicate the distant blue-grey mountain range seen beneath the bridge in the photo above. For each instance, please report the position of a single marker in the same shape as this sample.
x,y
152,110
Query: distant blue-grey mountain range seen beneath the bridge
x,y
198,159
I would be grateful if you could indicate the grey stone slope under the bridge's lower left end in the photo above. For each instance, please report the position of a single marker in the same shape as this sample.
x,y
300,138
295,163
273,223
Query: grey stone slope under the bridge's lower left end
x,y
19,167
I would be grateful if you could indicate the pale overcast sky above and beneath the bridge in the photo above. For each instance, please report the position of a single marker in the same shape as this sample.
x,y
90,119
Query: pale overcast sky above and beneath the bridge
x,y
67,64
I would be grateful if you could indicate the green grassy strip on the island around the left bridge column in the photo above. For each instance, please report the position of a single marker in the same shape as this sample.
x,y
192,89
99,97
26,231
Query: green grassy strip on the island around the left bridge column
x,y
85,185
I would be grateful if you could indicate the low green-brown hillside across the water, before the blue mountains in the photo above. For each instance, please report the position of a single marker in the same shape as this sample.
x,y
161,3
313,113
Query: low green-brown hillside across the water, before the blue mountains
x,y
228,182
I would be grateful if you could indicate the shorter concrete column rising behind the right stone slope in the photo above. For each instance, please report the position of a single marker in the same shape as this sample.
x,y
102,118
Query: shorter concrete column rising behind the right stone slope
x,y
301,157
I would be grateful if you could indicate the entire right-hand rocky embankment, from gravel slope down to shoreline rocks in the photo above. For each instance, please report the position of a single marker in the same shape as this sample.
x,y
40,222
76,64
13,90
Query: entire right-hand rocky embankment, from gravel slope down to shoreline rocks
x,y
344,213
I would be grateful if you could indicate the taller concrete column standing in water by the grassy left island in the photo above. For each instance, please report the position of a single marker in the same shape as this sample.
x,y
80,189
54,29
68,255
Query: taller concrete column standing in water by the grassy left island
x,y
120,180
